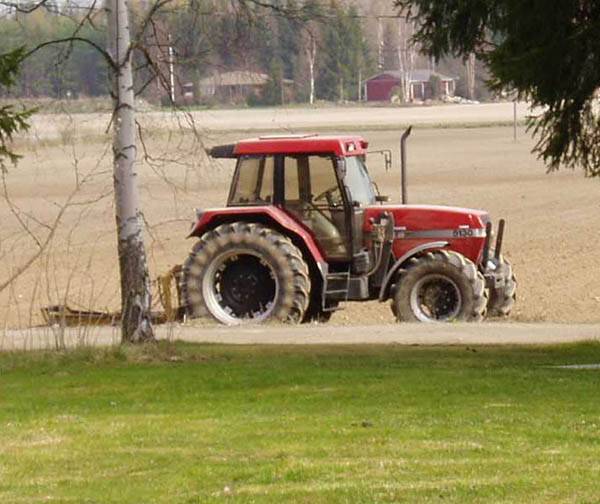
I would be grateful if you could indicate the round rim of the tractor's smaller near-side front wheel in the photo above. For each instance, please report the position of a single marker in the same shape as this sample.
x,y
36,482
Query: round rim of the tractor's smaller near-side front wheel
x,y
435,298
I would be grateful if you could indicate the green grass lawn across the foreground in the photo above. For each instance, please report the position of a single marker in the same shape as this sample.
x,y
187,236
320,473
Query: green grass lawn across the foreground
x,y
201,423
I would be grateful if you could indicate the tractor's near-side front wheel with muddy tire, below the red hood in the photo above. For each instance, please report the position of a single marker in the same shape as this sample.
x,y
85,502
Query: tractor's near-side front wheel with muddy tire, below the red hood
x,y
440,286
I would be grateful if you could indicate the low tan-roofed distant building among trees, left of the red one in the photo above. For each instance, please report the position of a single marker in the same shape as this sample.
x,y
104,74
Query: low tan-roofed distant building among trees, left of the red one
x,y
235,86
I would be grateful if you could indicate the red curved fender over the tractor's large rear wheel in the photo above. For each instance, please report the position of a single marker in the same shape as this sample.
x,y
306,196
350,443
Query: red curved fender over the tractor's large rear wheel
x,y
271,216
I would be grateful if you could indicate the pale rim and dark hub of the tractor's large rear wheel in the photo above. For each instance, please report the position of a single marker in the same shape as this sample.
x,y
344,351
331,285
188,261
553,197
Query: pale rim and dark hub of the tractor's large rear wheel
x,y
240,286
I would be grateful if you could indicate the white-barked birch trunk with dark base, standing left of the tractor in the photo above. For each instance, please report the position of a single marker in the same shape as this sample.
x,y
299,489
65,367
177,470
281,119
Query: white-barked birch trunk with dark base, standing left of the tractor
x,y
135,283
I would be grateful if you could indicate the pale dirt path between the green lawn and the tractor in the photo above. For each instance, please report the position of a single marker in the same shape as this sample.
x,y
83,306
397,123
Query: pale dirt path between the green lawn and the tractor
x,y
324,334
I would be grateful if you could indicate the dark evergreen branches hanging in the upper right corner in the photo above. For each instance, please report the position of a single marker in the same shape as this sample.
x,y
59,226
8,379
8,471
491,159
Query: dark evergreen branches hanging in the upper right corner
x,y
550,56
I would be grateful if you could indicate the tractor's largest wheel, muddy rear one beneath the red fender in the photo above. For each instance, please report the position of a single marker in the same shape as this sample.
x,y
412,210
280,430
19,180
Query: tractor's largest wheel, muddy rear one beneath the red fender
x,y
245,272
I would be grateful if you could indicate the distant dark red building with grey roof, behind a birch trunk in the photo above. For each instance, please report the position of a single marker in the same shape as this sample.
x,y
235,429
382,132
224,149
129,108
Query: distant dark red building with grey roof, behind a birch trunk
x,y
380,86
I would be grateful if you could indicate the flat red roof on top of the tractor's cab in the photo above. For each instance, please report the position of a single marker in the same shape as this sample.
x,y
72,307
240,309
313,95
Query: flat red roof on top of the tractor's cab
x,y
339,145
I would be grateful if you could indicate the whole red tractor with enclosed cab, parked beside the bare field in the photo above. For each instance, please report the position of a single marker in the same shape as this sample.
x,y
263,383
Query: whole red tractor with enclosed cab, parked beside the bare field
x,y
305,230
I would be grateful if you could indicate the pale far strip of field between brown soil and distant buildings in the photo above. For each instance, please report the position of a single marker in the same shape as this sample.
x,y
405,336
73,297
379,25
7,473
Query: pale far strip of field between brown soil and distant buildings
x,y
361,118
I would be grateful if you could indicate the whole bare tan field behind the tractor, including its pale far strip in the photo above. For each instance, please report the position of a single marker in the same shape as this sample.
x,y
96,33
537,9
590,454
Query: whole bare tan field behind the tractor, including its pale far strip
x,y
553,219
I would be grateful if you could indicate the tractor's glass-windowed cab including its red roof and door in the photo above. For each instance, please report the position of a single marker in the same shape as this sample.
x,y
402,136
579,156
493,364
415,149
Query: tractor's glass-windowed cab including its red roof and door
x,y
320,181
